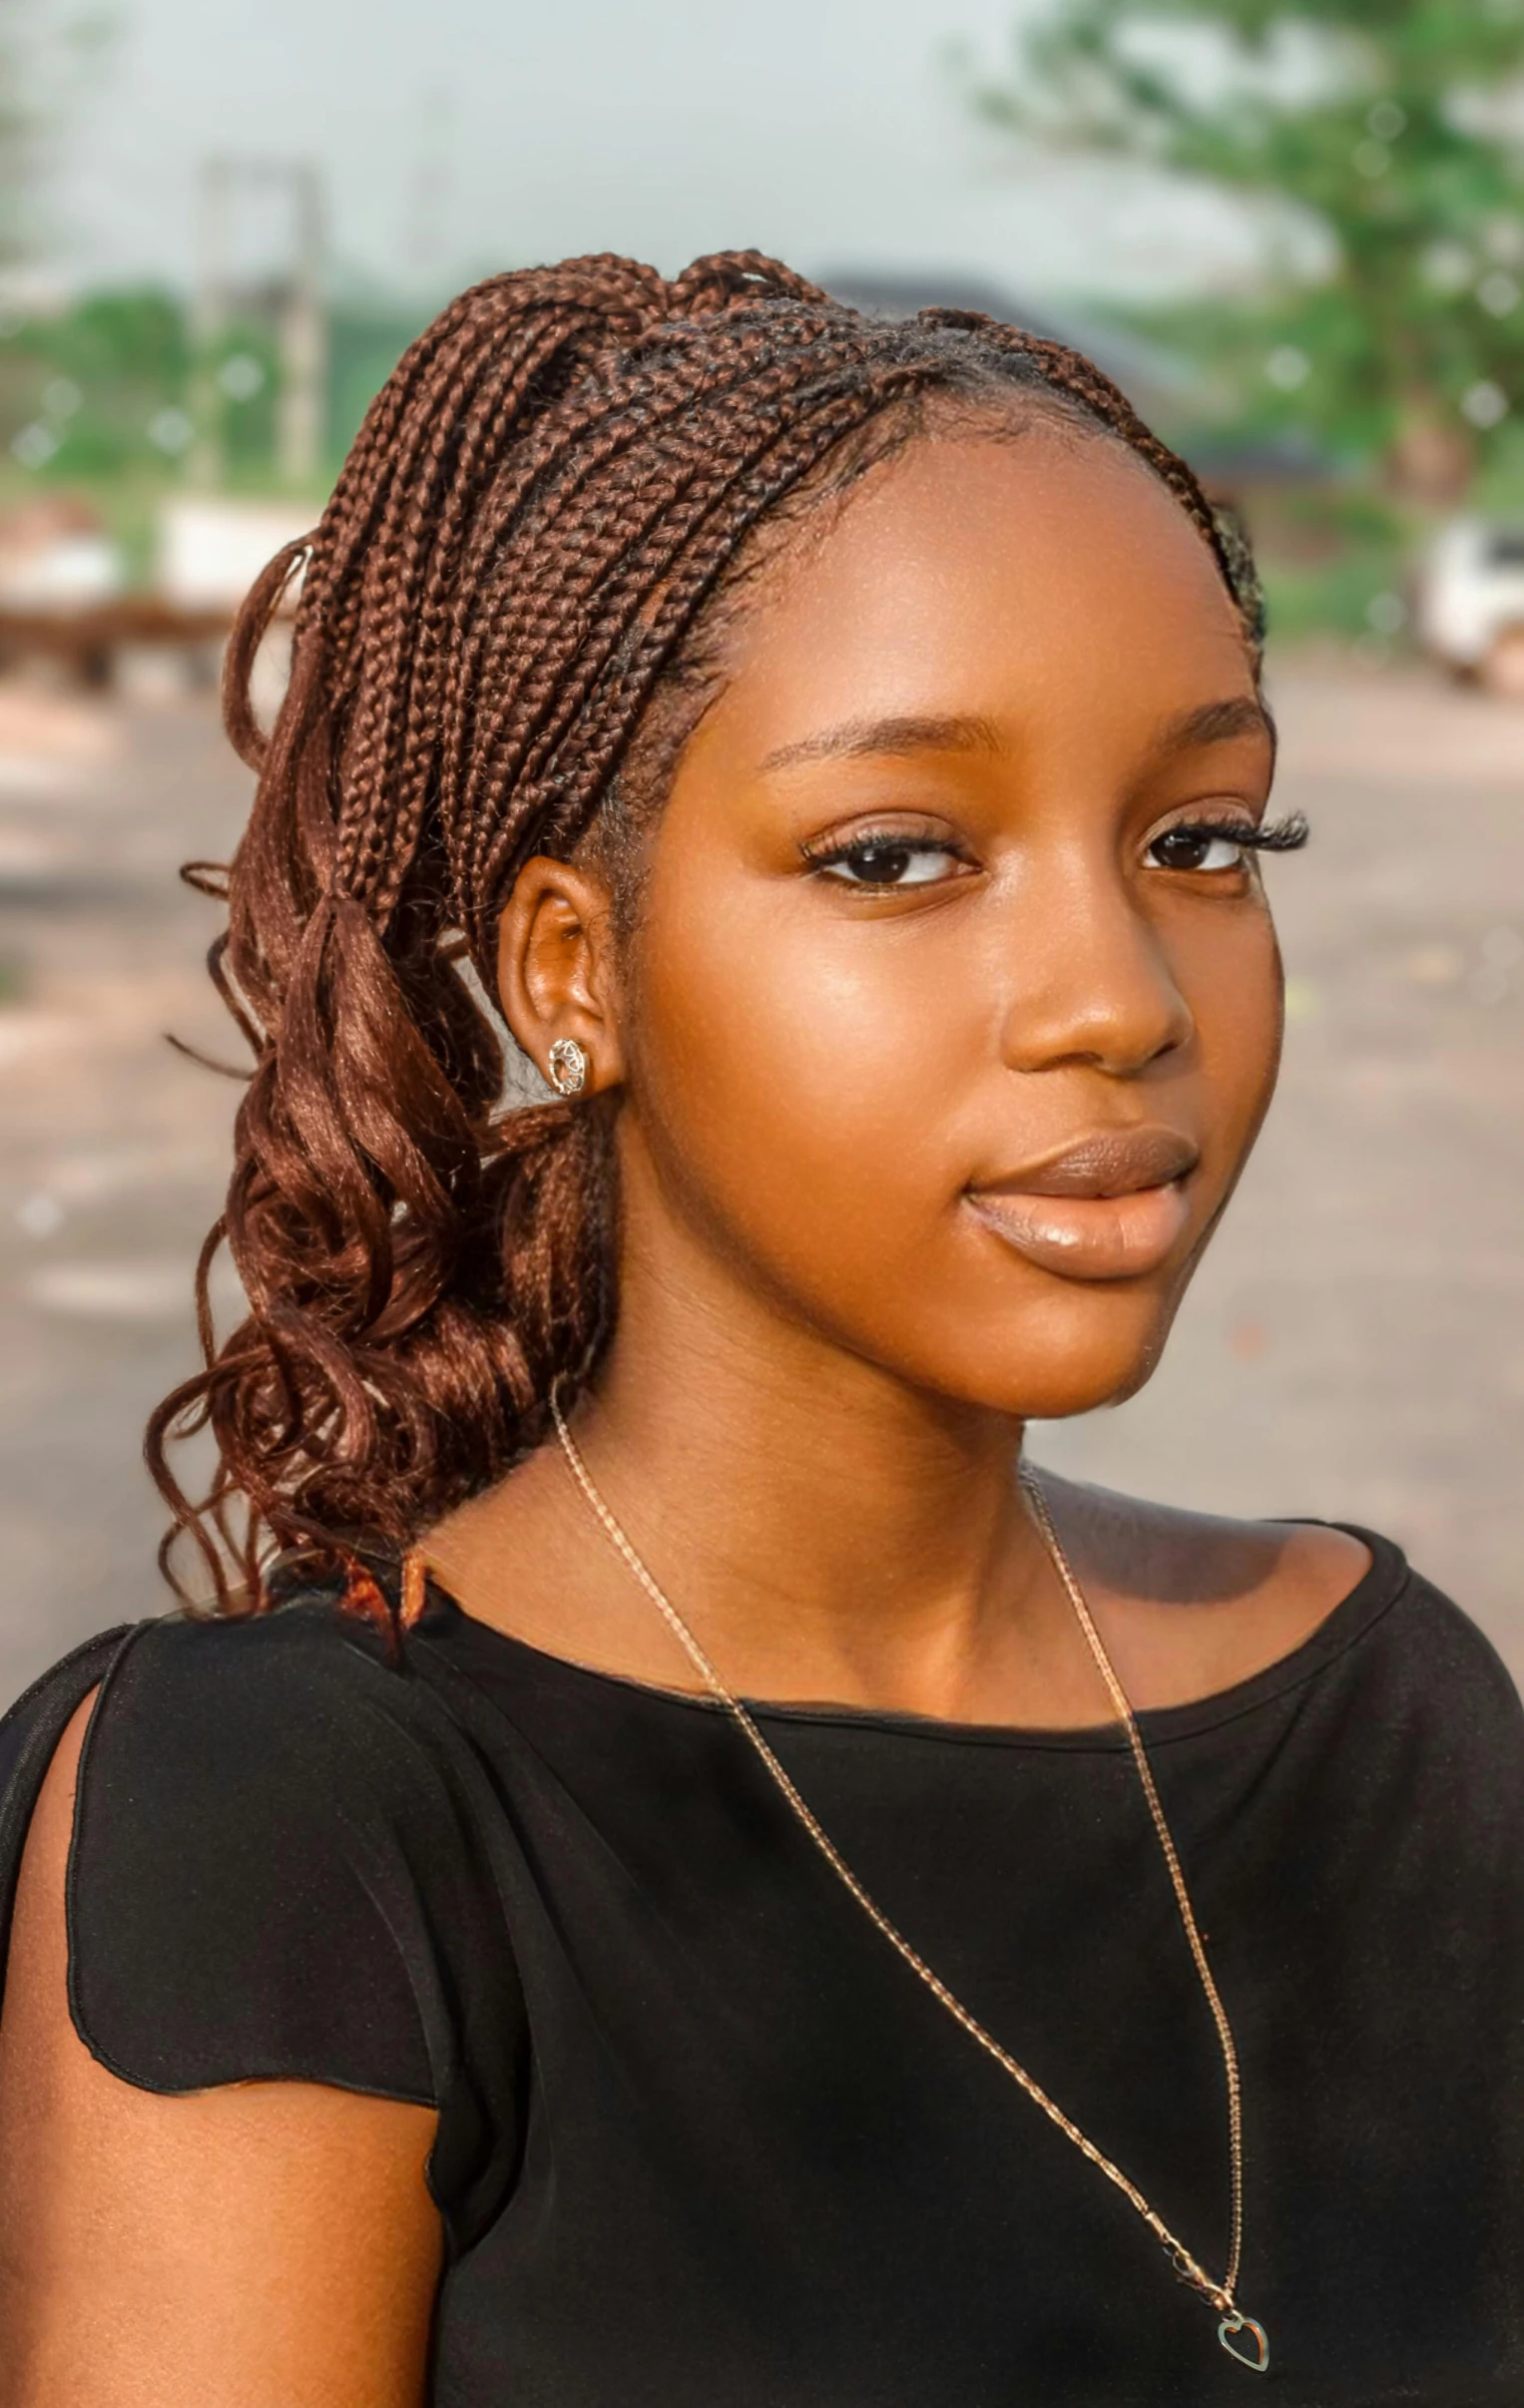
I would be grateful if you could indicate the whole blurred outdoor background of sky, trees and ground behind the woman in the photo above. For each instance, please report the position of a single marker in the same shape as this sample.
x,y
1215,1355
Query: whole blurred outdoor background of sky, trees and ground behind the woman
x,y
1296,237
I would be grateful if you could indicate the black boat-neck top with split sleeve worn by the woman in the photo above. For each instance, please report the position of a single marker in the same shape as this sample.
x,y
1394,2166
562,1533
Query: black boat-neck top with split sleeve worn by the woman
x,y
704,2140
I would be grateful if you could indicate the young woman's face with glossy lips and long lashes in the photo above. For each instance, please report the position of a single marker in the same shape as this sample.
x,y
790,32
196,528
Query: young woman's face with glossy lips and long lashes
x,y
943,1039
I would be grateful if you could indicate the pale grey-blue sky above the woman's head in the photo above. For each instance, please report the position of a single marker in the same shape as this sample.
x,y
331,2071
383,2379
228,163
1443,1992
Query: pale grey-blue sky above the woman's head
x,y
463,136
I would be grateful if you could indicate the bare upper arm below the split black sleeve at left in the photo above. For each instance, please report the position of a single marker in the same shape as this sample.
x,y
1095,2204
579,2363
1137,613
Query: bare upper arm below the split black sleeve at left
x,y
259,2245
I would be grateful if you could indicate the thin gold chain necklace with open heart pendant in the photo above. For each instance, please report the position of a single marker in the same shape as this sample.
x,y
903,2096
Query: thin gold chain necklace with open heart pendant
x,y
1241,2335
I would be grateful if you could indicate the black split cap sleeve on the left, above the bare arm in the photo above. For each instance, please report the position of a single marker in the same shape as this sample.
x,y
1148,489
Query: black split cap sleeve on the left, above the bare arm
x,y
276,1875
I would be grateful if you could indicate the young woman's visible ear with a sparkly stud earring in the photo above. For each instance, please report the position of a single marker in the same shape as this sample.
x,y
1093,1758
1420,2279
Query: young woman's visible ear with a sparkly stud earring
x,y
557,969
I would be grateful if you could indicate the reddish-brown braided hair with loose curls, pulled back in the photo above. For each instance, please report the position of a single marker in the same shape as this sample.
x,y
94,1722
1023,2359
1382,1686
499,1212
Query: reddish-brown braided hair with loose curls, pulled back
x,y
516,582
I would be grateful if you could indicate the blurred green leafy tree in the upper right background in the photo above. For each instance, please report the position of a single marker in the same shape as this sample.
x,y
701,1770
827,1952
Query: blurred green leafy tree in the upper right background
x,y
1374,143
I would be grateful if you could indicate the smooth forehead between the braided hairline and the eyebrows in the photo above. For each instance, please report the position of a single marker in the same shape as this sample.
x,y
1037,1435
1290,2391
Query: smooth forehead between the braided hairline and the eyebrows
x,y
1017,579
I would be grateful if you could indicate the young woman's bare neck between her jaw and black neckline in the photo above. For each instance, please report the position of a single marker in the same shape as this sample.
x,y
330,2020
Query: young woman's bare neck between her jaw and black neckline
x,y
825,1528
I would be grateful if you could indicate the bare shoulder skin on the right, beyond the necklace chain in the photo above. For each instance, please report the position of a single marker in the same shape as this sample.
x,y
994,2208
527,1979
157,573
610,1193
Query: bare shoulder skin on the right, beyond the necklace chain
x,y
1195,1603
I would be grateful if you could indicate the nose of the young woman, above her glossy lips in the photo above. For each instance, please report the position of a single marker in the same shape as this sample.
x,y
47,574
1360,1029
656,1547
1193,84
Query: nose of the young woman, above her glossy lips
x,y
1092,981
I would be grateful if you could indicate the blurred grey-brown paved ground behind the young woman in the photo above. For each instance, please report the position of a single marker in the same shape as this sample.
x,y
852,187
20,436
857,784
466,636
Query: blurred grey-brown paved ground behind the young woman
x,y
1354,1345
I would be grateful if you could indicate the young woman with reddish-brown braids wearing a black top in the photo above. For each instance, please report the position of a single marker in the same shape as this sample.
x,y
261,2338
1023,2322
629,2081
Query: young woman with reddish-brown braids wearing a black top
x,y
1094,1969
